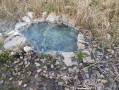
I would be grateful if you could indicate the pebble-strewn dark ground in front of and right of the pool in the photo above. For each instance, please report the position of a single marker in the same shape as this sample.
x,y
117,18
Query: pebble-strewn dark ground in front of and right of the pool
x,y
31,71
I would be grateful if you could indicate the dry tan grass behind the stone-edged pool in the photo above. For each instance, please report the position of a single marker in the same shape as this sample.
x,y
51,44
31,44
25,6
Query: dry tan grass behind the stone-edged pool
x,y
101,16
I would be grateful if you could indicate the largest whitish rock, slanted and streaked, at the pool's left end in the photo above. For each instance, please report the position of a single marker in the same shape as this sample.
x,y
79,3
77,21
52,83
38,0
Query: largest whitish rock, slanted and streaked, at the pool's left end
x,y
14,42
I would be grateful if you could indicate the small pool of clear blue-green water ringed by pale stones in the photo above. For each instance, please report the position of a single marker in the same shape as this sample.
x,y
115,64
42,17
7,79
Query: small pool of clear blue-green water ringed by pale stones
x,y
47,37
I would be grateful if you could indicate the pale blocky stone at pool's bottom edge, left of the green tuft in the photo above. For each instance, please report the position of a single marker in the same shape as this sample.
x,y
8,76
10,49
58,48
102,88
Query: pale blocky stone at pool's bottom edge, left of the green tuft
x,y
68,58
